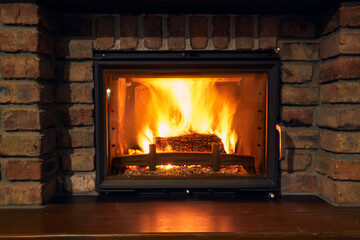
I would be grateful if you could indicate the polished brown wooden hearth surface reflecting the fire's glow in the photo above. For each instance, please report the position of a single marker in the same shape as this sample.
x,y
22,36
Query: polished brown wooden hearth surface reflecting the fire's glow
x,y
182,217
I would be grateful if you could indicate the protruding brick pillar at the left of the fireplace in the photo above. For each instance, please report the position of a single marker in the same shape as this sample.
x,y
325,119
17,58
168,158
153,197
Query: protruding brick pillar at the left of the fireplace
x,y
29,161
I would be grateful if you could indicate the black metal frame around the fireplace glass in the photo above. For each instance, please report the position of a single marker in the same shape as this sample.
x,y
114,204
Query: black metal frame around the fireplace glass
x,y
189,60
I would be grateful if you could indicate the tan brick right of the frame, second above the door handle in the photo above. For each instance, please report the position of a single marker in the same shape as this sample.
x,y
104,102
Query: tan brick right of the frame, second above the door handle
x,y
299,95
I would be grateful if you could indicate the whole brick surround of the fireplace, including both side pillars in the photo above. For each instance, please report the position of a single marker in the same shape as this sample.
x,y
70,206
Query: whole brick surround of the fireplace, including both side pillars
x,y
319,90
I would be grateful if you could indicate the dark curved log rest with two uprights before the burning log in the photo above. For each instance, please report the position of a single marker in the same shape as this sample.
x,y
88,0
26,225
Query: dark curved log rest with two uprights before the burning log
x,y
215,159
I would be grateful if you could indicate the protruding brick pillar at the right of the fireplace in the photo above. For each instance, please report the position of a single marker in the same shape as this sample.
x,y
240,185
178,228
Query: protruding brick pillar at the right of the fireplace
x,y
338,114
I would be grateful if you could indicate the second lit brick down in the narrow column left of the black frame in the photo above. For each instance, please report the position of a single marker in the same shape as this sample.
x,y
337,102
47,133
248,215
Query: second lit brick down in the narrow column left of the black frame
x,y
78,72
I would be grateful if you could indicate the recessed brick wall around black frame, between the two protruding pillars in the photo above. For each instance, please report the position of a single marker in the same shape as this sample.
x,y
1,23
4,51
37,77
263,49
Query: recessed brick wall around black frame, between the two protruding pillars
x,y
296,35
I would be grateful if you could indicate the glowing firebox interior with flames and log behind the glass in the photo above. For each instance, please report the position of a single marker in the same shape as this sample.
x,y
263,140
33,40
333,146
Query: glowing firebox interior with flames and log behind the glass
x,y
184,114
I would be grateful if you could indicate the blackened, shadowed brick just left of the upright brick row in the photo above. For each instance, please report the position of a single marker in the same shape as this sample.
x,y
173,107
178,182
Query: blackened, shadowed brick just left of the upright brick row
x,y
77,26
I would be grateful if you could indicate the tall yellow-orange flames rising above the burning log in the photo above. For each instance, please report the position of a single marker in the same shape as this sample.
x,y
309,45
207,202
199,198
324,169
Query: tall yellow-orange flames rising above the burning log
x,y
179,106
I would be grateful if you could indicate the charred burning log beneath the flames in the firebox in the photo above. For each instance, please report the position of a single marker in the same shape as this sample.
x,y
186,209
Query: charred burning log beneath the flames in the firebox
x,y
193,142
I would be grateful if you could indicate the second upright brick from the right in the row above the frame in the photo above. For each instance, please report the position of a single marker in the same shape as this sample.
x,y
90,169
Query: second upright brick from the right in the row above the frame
x,y
244,32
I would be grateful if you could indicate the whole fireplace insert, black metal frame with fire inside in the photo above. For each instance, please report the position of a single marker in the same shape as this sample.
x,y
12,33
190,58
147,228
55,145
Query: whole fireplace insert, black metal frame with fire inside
x,y
187,120
